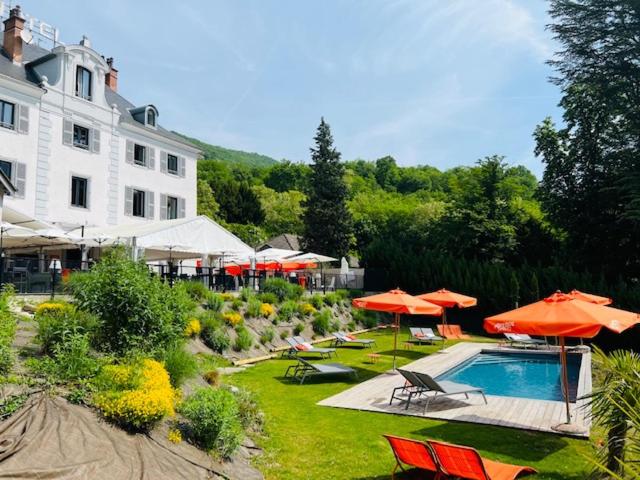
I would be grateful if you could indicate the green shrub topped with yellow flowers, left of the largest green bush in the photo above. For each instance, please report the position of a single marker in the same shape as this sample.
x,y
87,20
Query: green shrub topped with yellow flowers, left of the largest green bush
x,y
56,323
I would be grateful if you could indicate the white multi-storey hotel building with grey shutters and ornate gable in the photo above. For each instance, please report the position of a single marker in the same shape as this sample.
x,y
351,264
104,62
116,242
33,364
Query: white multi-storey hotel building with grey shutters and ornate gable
x,y
77,152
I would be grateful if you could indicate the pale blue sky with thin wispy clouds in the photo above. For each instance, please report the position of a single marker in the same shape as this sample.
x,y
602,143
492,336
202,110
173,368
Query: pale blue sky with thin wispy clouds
x,y
434,82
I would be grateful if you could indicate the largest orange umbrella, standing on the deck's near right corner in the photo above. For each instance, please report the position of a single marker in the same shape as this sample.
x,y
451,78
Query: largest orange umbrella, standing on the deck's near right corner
x,y
562,315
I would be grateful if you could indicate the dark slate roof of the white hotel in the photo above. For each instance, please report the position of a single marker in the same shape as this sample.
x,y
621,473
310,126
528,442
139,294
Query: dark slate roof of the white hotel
x,y
33,55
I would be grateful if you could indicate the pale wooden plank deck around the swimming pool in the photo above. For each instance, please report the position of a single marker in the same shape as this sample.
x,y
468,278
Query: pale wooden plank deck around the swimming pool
x,y
528,414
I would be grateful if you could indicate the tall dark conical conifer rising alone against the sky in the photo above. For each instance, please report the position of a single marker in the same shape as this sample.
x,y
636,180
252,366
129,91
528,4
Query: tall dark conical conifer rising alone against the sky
x,y
327,220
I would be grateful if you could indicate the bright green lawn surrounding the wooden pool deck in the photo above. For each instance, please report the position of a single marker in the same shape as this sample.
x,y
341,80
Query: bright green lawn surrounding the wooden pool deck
x,y
306,441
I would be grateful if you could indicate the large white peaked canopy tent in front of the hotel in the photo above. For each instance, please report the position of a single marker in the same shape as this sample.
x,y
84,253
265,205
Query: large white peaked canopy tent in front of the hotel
x,y
182,238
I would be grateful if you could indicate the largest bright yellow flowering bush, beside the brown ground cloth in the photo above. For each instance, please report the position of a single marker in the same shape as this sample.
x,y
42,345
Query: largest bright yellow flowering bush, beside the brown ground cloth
x,y
136,396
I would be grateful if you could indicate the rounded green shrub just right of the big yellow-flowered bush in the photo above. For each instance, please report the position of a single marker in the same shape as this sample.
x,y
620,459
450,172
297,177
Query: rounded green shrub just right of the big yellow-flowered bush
x,y
213,419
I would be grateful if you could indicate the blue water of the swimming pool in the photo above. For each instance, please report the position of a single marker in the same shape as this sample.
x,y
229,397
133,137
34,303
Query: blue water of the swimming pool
x,y
525,375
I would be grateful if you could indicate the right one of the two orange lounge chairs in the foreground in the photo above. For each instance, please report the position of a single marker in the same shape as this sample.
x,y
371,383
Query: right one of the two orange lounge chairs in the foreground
x,y
465,462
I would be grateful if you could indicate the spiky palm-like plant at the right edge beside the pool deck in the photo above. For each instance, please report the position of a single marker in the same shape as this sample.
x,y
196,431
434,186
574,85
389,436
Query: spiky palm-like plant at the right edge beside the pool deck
x,y
614,406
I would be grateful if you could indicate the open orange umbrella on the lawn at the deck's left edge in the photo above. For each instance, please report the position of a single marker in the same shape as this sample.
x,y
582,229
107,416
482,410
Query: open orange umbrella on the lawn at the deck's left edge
x,y
397,302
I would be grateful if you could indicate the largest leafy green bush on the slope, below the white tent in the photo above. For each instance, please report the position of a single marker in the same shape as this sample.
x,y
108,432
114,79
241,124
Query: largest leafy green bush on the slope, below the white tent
x,y
137,311
